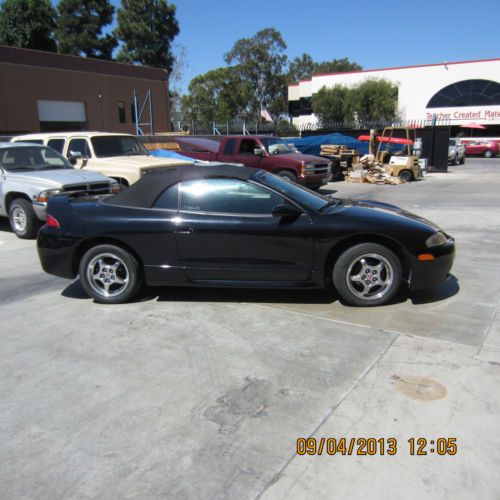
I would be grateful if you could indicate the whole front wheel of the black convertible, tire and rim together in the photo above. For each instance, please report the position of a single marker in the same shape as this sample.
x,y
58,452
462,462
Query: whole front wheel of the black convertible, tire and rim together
x,y
349,265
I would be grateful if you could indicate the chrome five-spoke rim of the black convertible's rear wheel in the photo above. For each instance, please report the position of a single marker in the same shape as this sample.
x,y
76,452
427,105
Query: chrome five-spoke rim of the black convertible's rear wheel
x,y
108,275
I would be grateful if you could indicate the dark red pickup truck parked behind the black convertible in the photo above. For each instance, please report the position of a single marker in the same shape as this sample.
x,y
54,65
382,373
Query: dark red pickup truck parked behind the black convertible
x,y
259,151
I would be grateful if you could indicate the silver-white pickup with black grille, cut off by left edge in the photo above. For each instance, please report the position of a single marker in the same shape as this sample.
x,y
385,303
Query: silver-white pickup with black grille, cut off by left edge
x,y
31,174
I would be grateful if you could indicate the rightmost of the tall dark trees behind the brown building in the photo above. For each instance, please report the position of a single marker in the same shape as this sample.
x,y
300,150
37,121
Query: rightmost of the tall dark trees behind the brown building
x,y
147,28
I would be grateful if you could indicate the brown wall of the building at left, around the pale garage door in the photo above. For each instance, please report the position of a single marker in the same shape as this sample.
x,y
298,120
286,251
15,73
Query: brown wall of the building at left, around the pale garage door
x,y
22,85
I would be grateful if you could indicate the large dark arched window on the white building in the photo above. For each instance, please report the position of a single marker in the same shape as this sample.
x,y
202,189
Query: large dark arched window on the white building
x,y
467,93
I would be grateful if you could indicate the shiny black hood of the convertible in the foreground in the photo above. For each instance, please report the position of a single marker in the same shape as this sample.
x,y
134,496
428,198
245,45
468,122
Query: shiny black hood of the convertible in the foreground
x,y
383,211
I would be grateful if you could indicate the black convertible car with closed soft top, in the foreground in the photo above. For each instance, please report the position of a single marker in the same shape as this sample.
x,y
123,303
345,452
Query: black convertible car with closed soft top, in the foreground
x,y
223,225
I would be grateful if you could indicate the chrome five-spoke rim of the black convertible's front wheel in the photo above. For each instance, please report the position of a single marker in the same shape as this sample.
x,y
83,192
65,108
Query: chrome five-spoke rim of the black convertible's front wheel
x,y
370,276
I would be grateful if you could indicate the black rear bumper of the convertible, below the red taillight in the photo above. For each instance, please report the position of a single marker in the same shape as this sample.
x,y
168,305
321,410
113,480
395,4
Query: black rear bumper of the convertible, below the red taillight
x,y
55,253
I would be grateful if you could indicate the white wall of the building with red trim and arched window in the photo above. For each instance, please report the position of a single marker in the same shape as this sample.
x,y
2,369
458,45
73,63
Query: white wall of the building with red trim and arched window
x,y
417,85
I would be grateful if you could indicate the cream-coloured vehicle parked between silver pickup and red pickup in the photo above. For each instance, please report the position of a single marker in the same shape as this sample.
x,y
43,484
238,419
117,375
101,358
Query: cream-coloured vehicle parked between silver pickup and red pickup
x,y
120,156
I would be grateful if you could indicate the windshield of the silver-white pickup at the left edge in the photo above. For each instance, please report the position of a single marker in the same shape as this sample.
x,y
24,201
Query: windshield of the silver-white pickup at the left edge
x,y
29,158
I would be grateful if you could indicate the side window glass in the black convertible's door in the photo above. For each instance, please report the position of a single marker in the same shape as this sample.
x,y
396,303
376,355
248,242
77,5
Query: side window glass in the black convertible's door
x,y
229,196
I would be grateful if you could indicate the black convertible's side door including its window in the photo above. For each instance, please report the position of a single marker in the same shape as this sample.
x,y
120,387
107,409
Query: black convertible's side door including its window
x,y
226,232
